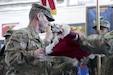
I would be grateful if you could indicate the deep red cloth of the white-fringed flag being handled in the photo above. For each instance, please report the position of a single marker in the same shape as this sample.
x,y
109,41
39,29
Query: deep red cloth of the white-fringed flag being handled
x,y
70,48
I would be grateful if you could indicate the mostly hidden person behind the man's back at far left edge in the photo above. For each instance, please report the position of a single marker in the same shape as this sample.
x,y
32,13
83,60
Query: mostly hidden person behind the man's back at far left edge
x,y
2,56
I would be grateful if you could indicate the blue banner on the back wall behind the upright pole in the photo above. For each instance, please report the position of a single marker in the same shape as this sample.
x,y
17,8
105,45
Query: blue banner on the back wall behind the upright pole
x,y
91,16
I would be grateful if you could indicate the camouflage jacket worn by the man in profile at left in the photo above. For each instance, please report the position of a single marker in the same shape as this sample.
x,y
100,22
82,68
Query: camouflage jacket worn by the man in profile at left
x,y
18,56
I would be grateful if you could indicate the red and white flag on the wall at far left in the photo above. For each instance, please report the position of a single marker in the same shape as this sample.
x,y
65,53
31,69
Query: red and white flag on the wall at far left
x,y
8,26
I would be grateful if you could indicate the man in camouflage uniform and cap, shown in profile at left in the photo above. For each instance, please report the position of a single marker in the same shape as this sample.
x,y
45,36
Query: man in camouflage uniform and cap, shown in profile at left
x,y
25,46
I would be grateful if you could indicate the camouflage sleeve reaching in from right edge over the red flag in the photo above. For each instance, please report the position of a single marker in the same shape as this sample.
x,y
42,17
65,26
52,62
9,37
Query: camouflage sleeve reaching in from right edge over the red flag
x,y
98,44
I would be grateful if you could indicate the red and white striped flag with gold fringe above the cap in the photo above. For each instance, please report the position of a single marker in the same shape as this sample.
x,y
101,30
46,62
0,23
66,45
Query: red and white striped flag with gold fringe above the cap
x,y
50,4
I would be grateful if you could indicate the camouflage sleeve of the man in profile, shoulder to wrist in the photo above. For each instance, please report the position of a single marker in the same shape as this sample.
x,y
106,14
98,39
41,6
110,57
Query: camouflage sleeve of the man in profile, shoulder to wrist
x,y
16,49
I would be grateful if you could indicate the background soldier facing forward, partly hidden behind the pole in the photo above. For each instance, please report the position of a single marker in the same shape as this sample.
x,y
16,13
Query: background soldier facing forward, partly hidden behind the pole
x,y
104,28
